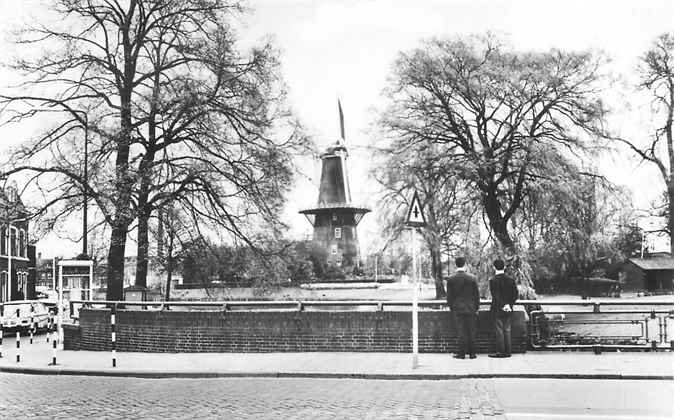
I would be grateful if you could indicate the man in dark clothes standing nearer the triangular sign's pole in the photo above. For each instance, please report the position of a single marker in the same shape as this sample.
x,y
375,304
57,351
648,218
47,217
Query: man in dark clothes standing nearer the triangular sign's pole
x,y
463,298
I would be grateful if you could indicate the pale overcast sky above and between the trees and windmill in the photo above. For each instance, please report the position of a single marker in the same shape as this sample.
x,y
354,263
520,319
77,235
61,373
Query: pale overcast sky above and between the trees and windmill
x,y
345,48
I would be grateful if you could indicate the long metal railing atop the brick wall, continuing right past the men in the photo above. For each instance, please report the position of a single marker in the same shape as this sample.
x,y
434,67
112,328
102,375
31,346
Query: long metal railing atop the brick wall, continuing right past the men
x,y
548,329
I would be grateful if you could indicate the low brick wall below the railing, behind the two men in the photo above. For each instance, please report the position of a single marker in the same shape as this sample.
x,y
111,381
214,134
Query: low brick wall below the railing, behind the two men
x,y
277,331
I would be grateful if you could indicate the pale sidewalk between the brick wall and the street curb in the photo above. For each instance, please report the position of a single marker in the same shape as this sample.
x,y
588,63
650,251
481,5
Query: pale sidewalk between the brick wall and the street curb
x,y
564,365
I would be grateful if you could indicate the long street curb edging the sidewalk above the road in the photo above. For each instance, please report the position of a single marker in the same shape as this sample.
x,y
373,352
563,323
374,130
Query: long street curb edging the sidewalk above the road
x,y
320,375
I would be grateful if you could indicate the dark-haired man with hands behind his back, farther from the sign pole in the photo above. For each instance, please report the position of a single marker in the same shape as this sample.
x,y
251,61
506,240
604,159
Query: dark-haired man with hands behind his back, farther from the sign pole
x,y
503,296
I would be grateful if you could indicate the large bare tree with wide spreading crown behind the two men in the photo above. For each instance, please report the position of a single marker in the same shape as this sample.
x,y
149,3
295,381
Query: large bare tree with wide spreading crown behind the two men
x,y
493,113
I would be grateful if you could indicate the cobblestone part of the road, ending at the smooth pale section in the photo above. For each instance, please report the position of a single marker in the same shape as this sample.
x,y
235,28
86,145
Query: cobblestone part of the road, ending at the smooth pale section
x,y
34,396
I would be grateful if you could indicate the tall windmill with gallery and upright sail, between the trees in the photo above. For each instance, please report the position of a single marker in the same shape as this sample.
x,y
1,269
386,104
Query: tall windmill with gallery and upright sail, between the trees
x,y
335,217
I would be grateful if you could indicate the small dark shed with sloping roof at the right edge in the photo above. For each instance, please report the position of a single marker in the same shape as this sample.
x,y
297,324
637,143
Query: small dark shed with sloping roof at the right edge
x,y
656,273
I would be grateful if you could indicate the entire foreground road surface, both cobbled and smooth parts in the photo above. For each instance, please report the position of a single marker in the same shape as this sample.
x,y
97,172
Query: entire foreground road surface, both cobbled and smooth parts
x,y
75,397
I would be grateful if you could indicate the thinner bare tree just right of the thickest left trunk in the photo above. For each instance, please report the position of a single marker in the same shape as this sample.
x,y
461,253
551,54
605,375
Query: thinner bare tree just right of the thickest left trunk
x,y
210,142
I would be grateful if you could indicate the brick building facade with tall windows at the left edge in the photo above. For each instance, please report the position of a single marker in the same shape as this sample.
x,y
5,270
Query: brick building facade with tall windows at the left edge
x,y
14,254
